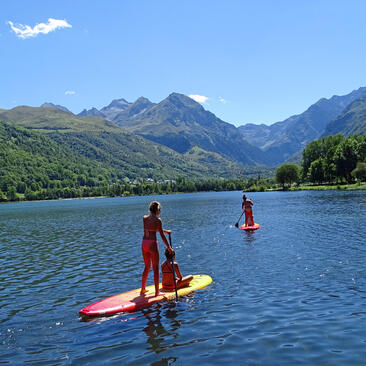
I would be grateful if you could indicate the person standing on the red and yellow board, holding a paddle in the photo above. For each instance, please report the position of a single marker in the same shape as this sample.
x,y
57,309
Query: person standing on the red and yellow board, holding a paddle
x,y
150,249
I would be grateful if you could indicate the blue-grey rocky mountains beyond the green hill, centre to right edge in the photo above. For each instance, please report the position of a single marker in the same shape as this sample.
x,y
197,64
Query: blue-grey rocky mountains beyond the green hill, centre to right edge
x,y
181,124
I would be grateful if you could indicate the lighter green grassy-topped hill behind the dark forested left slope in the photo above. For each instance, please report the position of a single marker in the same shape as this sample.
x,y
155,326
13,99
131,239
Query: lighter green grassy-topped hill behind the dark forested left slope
x,y
120,151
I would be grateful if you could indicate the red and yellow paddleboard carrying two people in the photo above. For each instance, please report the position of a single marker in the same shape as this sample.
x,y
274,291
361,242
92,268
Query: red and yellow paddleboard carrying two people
x,y
132,300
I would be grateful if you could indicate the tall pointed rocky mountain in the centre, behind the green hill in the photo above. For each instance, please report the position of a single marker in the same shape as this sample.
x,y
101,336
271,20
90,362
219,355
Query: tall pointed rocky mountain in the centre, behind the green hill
x,y
181,123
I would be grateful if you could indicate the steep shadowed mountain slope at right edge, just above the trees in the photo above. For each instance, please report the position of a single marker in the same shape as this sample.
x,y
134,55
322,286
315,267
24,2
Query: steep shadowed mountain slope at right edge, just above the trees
x,y
351,121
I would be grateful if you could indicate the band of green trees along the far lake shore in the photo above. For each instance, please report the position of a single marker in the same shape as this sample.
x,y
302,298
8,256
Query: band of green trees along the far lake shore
x,y
332,162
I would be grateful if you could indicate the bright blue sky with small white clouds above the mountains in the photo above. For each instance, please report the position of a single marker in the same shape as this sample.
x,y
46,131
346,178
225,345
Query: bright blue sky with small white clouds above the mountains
x,y
250,61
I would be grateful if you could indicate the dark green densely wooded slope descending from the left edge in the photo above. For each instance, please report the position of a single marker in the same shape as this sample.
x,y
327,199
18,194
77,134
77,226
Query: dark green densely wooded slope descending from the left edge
x,y
31,162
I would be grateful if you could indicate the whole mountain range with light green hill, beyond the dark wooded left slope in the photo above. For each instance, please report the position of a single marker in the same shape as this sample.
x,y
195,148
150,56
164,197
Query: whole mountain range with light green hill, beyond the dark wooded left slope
x,y
178,137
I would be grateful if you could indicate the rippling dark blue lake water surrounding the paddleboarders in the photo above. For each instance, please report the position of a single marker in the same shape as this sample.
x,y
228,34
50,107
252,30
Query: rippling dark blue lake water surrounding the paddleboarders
x,y
291,293
